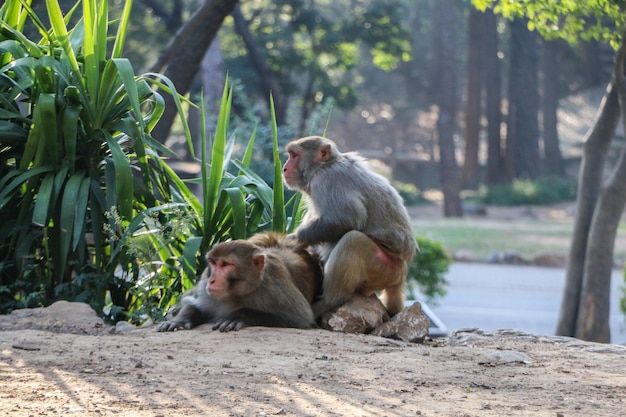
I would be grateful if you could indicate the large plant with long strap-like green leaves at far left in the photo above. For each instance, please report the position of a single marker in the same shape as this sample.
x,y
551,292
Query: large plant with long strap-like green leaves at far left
x,y
75,124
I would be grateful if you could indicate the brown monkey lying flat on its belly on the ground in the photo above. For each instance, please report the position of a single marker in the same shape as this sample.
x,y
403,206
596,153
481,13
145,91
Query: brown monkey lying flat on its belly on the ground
x,y
268,280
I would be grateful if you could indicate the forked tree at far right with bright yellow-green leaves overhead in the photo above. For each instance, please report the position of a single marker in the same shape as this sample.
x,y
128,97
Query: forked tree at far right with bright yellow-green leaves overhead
x,y
600,202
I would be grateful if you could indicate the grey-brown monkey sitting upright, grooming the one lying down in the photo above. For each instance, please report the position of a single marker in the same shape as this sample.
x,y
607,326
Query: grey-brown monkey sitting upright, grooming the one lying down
x,y
356,219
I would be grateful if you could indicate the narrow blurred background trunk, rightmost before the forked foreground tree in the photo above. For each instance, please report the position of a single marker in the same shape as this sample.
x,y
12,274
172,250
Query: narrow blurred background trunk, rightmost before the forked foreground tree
x,y
553,161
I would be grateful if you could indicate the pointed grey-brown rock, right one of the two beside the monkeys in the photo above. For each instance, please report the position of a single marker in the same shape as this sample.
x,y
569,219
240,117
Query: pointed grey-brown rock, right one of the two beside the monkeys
x,y
410,325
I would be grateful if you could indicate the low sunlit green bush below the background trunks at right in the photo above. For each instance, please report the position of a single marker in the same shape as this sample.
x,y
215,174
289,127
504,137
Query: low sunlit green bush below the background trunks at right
x,y
546,190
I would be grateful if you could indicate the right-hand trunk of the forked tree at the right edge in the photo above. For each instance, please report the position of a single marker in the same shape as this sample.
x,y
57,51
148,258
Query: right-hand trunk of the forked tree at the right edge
x,y
593,316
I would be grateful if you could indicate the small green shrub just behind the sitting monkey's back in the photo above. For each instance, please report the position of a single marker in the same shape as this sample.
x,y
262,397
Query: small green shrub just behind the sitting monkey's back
x,y
426,272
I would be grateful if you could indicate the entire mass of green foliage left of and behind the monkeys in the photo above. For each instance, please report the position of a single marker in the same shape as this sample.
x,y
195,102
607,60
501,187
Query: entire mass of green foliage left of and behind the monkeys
x,y
91,210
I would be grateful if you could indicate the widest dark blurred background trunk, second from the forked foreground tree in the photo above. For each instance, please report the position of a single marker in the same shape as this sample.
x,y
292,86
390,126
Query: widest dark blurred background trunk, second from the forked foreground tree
x,y
523,125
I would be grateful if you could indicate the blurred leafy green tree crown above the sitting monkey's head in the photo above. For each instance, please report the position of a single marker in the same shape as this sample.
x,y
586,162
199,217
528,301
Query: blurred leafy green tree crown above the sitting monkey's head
x,y
306,52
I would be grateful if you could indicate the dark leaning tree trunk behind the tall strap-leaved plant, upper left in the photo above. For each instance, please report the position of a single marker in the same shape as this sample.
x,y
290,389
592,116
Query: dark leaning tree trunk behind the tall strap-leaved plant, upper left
x,y
183,55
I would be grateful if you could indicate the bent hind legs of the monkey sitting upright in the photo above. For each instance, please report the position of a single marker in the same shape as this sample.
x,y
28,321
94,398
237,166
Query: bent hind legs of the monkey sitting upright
x,y
358,265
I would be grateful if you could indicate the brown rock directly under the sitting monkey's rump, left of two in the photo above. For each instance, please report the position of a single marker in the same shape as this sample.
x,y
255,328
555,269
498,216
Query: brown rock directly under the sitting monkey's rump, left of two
x,y
359,315
